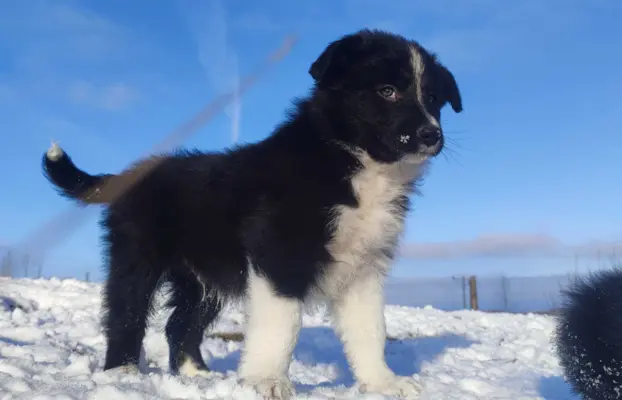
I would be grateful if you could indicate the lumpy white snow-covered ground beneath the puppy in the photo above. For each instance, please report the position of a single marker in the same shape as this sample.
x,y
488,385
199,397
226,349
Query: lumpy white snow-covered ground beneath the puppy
x,y
51,348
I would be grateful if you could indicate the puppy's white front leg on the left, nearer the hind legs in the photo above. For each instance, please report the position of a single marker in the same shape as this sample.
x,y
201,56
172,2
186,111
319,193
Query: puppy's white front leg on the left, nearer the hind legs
x,y
272,329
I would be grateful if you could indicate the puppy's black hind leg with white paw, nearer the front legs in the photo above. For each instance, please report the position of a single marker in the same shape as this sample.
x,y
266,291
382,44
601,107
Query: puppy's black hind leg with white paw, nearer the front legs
x,y
196,307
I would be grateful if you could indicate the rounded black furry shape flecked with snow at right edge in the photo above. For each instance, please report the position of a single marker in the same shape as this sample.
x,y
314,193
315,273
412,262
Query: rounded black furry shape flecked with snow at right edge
x,y
588,338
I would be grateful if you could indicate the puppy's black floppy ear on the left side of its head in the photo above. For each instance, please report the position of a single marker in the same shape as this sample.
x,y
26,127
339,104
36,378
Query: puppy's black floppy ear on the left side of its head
x,y
331,66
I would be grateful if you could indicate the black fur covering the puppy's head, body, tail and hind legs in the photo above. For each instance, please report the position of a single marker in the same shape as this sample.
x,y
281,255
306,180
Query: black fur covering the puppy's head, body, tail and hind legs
x,y
204,215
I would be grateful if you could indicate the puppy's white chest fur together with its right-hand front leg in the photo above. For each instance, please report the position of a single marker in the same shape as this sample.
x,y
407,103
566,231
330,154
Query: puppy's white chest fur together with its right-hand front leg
x,y
354,282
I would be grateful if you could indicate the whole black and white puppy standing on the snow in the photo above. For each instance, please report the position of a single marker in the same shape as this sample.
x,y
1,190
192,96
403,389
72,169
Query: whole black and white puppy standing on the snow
x,y
315,209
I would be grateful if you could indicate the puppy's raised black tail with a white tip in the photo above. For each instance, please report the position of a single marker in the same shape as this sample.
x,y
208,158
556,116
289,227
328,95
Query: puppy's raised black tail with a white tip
x,y
70,181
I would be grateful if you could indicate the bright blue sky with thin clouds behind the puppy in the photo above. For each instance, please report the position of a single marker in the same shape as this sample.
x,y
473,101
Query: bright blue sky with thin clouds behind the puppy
x,y
531,177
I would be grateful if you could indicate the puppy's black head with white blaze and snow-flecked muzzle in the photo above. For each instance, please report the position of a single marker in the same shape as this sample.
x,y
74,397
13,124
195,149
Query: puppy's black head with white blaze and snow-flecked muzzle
x,y
389,92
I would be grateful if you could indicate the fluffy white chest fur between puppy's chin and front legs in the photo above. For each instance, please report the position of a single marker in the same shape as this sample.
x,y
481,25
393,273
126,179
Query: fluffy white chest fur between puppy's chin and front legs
x,y
364,233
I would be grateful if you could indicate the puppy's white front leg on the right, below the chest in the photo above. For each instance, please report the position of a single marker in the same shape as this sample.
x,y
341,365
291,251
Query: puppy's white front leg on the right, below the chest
x,y
359,317
